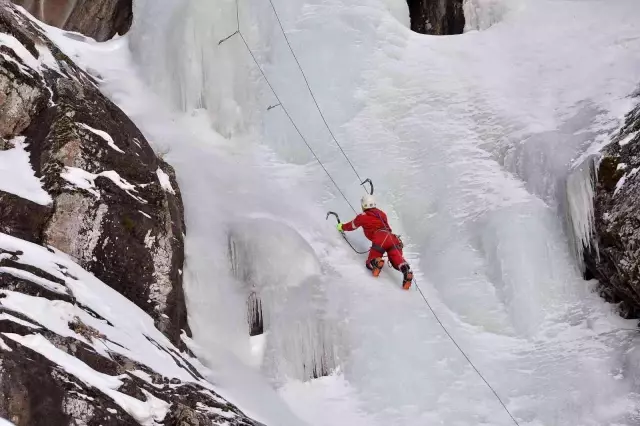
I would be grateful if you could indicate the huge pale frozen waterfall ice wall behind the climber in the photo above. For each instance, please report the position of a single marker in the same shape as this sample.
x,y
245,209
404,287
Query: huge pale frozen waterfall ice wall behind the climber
x,y
469,140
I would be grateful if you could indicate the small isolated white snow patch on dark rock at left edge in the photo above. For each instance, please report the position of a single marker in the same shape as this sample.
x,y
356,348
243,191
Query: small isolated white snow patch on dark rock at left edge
x,y
17,176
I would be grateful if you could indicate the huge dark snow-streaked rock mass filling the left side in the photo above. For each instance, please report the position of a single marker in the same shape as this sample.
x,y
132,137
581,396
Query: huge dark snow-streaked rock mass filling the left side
x,y
93,325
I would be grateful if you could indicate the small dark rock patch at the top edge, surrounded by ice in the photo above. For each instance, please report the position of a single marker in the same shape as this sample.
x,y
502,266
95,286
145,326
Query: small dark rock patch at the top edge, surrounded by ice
x,y
437,17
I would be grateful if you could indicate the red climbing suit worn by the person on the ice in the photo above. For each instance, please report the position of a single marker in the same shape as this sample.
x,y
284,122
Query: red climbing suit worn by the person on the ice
x,y
377,230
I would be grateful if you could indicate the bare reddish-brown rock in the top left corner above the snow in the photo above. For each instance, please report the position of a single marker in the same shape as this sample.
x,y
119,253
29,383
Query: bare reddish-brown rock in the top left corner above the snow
x,y
99,19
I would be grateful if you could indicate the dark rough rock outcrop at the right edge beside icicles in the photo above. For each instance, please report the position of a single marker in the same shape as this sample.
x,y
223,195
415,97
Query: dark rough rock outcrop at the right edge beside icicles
x,y
614,253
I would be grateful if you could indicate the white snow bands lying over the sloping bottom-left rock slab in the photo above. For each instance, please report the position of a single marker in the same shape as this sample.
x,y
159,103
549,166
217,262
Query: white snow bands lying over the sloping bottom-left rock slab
x,y
126,328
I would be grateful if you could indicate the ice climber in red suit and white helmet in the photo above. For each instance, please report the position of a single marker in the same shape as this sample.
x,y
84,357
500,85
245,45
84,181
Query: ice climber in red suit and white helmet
x,y
376,228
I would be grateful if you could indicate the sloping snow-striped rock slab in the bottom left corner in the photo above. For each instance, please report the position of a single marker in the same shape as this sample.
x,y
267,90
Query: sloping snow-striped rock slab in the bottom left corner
x,y
75,352
